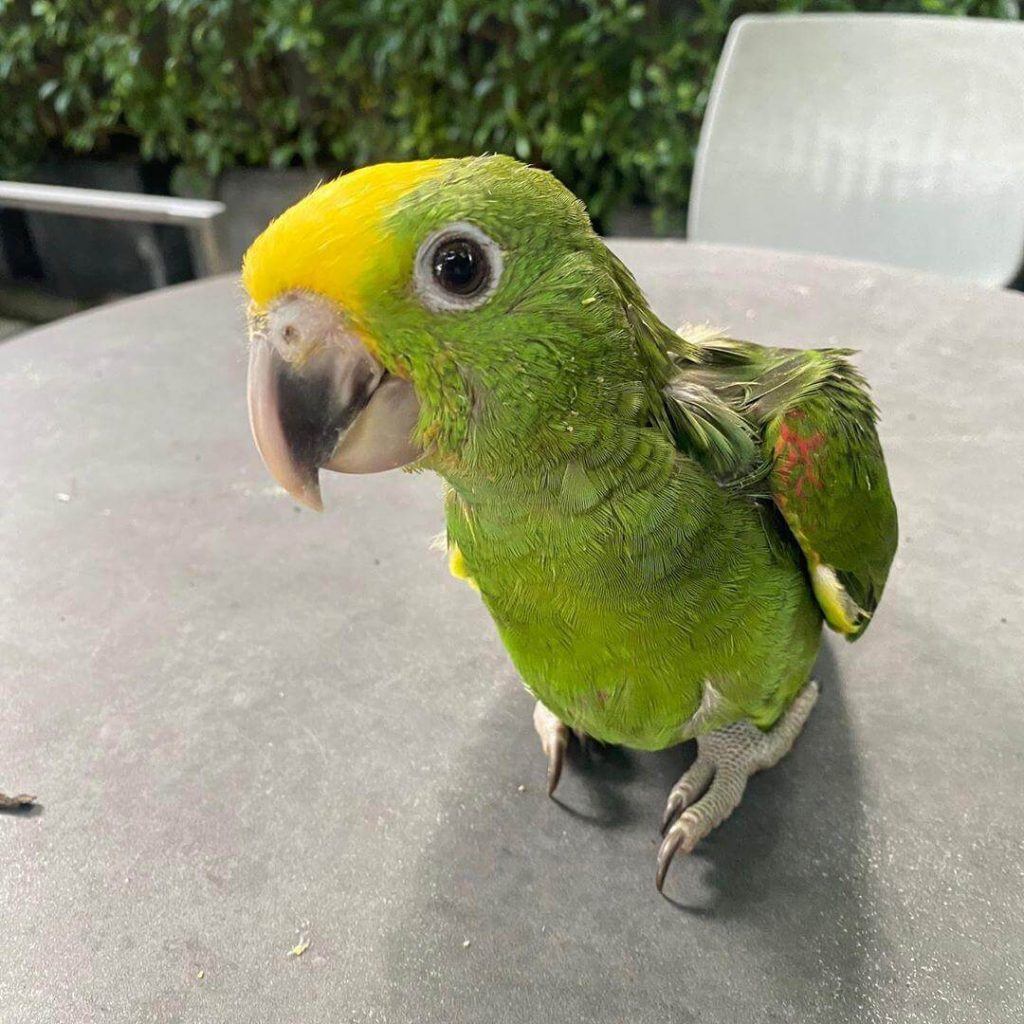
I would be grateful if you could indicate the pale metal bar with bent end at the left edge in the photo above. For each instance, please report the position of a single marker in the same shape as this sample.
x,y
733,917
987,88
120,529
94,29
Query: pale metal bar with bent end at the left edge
x,y
197,216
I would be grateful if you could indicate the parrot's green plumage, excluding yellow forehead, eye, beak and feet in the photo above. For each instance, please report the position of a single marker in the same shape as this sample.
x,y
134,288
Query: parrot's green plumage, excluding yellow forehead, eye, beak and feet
x,y
616,493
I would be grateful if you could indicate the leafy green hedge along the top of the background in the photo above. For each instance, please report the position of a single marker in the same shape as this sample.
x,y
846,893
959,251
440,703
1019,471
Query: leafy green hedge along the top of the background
x,y
608,94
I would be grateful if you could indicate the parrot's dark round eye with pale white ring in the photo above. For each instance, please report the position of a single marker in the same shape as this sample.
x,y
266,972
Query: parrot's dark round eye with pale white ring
x,y
458,268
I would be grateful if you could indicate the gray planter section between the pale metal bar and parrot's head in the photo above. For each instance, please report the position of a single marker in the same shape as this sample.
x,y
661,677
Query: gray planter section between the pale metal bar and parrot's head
x,y
253,198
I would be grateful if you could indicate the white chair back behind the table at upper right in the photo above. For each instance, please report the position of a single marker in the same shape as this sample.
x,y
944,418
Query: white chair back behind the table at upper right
x,y
892,139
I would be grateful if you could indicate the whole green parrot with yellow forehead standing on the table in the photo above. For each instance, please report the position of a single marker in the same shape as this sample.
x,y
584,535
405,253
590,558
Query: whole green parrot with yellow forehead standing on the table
x,y
659,522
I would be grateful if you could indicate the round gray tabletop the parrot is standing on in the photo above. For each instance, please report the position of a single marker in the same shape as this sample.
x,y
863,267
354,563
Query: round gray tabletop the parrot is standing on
x,y
250,727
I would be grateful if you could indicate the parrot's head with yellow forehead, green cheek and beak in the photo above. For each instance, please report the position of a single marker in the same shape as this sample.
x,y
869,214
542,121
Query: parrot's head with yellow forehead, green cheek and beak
x,y
453,308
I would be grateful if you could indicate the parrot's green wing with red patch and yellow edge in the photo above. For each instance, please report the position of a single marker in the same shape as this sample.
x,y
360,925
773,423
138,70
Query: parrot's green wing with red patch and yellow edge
x,y
818,451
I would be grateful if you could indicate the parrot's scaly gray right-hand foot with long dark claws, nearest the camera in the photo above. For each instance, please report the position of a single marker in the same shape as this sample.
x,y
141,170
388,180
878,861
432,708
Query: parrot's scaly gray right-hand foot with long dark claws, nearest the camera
x,y
727,759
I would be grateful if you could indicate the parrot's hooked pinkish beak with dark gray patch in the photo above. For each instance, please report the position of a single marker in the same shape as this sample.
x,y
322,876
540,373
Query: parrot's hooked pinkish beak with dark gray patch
x,y
319,400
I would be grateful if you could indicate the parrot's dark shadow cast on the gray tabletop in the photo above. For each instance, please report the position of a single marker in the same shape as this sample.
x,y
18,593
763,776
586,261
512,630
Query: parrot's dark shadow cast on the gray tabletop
x,y
561,909
